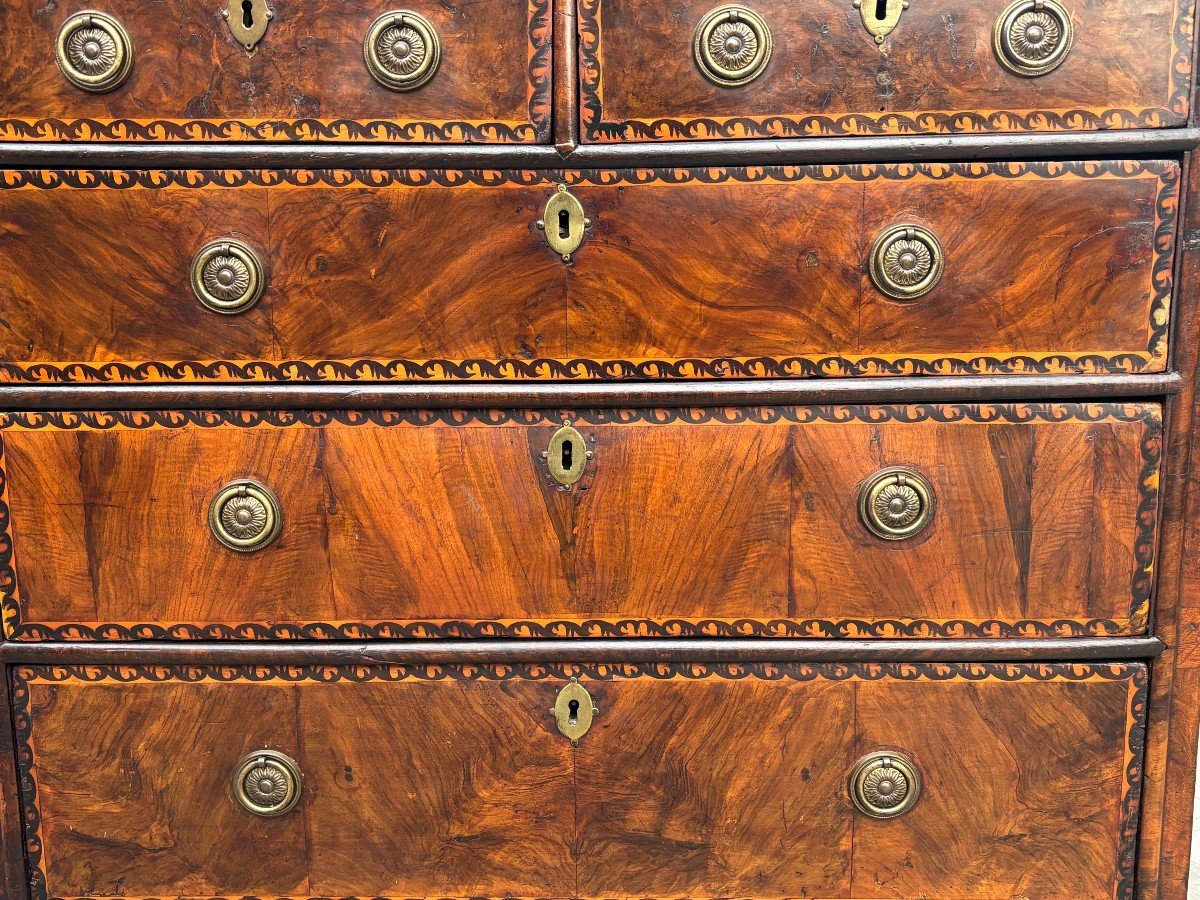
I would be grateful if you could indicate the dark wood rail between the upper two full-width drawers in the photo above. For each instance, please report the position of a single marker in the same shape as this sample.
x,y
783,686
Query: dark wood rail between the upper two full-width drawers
x,y
551,395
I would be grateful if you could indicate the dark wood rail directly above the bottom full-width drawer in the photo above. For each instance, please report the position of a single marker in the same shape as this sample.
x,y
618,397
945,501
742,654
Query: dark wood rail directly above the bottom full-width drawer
x,y
583,651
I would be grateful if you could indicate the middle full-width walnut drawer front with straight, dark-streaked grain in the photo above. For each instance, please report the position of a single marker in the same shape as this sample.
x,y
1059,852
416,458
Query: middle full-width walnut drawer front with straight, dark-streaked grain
x,y
685,521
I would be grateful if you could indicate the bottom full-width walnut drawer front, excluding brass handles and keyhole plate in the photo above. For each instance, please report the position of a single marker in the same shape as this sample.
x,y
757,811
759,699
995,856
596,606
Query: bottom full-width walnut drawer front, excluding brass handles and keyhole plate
x,y
694,781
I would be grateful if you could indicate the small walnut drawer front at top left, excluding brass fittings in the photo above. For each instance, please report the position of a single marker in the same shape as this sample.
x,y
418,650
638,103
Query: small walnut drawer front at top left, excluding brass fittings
x,y
307,80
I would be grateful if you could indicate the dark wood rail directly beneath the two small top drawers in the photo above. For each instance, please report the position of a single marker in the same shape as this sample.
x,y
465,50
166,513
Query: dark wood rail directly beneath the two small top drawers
x,y
1055,146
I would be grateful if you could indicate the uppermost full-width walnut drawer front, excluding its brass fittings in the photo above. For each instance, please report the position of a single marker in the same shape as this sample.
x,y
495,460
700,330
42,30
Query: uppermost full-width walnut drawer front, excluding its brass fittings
x,y
683,274
